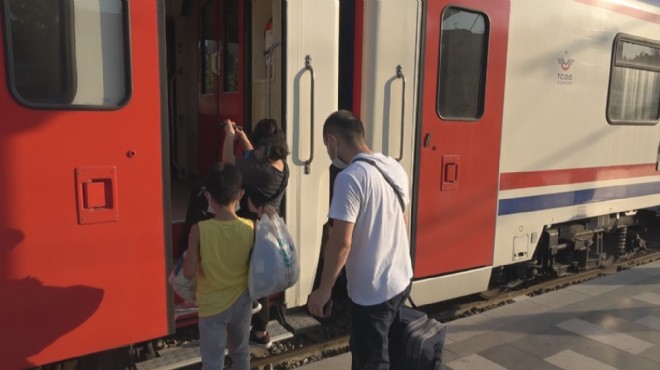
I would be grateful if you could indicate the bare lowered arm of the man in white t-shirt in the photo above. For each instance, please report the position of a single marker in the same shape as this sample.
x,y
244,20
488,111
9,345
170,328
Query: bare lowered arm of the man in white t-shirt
x,y
336,253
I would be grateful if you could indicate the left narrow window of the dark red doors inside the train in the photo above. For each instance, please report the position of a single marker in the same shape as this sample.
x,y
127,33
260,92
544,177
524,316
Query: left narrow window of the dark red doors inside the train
x,y
209,50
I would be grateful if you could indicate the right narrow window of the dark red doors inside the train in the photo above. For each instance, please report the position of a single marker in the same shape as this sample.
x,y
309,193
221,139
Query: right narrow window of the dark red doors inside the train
x,y
230,47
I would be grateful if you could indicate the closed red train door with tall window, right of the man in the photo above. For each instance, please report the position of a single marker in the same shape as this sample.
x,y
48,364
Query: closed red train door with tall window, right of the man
x,y
463,65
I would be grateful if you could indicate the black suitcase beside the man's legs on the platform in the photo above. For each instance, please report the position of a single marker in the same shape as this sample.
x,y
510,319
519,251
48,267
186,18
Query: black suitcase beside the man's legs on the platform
x,y
416,342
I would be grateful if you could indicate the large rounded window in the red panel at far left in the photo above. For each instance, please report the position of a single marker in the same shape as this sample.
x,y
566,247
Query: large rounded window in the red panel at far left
x,y
64,53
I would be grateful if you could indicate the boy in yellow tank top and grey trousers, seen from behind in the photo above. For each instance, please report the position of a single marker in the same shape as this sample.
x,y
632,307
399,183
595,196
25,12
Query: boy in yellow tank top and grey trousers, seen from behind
x,y
218,256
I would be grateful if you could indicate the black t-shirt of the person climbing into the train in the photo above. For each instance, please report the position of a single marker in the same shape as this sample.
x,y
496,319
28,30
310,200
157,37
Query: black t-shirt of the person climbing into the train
x,y
263,184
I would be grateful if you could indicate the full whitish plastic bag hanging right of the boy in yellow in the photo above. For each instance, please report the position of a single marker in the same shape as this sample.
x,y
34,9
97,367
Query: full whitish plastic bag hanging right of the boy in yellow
x,y
274,264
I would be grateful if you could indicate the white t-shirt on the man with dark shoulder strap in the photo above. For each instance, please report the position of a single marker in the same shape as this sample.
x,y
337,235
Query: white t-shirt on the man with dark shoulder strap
x,y
378,266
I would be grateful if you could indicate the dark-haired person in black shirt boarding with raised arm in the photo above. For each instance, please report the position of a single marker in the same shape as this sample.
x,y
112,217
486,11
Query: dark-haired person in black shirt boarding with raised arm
x,y
265,176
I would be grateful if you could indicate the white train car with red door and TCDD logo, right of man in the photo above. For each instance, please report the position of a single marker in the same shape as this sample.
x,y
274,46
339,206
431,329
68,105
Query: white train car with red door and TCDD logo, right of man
x,y
518,116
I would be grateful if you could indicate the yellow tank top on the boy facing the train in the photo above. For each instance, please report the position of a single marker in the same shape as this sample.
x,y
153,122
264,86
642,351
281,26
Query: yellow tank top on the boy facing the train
x,y
224,248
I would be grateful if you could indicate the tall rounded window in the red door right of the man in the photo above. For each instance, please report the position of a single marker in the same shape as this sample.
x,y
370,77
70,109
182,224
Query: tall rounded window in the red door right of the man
x,y
462,70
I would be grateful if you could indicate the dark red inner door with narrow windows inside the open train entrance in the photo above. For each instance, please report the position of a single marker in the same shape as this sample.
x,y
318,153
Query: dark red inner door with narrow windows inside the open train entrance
x,y
222,68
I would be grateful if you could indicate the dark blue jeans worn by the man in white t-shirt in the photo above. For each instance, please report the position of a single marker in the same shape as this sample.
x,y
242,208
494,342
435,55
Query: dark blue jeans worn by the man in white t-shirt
x,y
370,329
